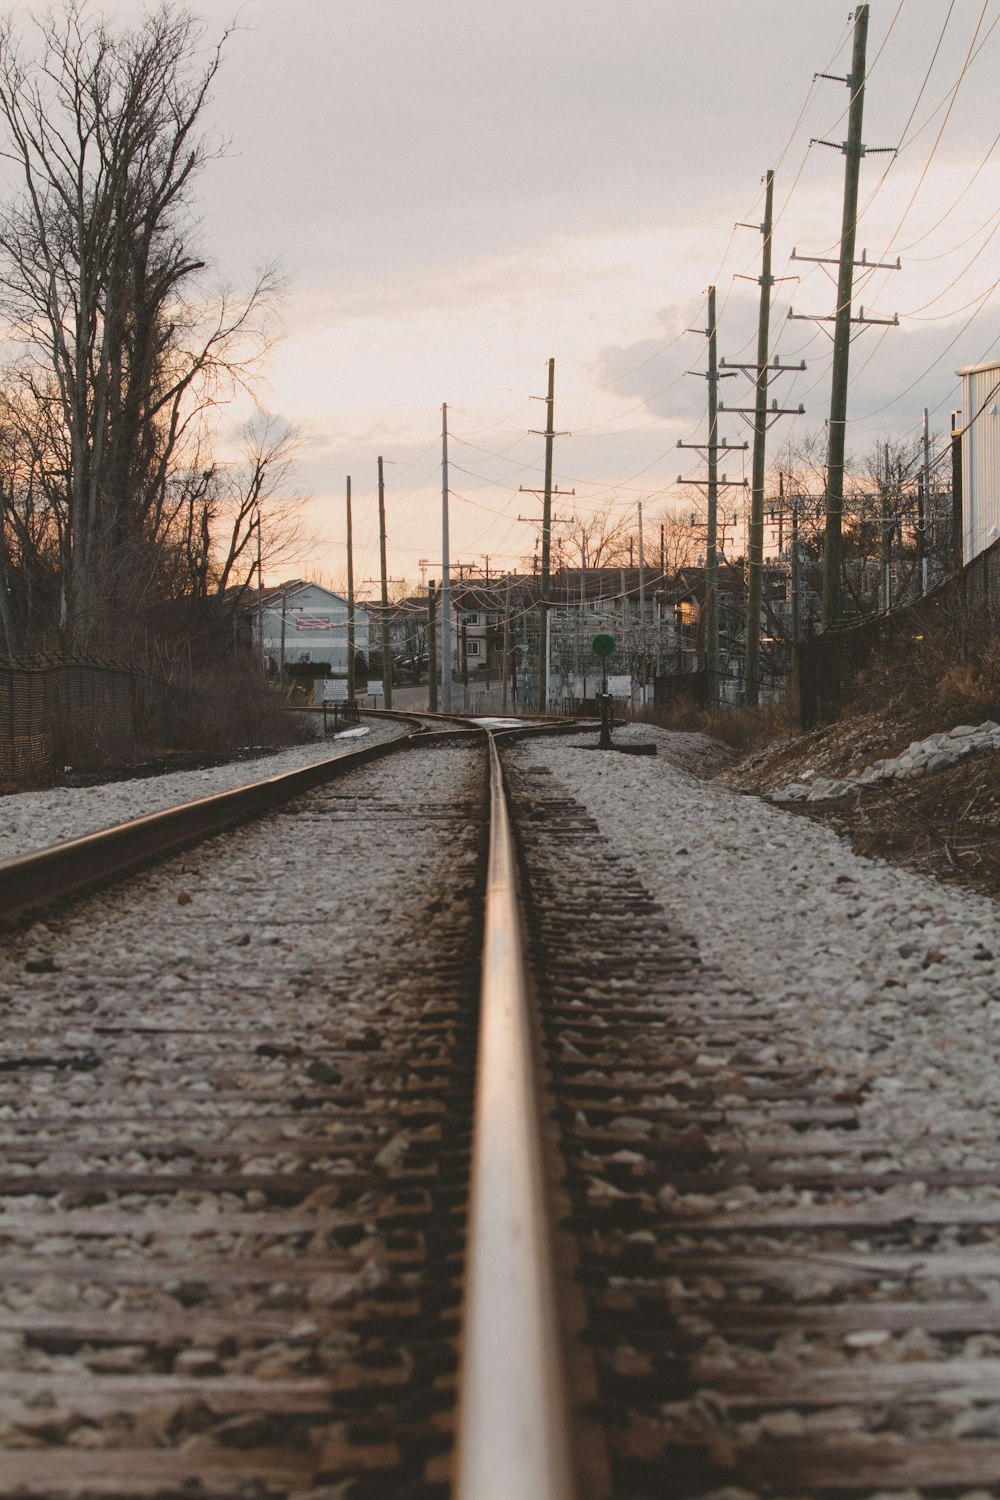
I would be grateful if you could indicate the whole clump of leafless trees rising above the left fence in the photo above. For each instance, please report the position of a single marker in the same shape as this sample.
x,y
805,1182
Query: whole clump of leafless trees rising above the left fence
x,y
113,499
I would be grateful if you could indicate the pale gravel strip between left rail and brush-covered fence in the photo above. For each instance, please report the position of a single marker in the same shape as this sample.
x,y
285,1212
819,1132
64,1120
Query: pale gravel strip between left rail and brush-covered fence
x,y
40,820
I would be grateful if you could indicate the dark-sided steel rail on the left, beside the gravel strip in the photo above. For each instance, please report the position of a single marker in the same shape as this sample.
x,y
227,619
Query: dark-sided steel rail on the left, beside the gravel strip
x,y
35,881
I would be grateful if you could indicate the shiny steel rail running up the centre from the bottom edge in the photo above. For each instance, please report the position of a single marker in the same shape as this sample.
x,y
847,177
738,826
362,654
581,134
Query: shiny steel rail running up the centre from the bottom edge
x,y
513,1435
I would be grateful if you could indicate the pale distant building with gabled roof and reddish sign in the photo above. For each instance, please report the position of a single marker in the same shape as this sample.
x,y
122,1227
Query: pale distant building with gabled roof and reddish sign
x,y
304,626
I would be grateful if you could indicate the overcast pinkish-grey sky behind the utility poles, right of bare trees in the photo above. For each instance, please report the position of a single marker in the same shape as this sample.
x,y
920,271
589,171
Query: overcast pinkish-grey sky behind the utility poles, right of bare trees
x,y
461,190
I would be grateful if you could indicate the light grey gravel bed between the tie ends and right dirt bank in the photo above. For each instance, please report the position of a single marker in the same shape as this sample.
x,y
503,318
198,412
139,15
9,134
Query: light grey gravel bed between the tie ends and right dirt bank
x,y
890,979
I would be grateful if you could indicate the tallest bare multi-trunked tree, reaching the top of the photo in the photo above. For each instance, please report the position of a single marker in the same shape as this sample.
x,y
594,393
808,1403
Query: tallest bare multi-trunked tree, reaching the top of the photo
x,y
122,350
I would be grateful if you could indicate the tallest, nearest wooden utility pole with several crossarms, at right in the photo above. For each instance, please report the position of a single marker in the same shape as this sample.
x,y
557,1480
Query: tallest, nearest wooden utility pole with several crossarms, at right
x,y
854,151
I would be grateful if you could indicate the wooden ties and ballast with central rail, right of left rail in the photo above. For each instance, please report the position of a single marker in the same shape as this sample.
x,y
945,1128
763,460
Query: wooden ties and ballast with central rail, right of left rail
x,y
235,1241
